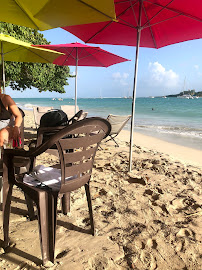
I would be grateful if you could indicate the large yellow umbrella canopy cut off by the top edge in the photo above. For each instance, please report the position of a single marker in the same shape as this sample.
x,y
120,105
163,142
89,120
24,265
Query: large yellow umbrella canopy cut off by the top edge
x,y
47,14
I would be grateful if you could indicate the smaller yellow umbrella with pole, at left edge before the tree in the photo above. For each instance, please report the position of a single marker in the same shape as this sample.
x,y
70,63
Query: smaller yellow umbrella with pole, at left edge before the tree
x,y
20,51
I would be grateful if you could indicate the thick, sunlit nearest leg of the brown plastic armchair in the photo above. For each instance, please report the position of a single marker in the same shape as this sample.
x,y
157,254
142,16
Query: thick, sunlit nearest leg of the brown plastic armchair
x,y
47,214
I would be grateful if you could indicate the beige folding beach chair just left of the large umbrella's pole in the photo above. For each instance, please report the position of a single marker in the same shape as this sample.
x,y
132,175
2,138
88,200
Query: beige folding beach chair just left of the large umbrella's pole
x,y
117,122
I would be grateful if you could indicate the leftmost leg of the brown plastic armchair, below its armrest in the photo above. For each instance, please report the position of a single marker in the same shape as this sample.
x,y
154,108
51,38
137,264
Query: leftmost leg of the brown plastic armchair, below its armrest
x,y
7,192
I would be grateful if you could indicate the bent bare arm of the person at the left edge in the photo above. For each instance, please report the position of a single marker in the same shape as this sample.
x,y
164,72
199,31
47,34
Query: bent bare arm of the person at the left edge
x,y
10,104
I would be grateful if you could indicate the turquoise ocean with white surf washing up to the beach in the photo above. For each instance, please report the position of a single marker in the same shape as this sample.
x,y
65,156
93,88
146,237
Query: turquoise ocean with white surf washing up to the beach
x,y
171,119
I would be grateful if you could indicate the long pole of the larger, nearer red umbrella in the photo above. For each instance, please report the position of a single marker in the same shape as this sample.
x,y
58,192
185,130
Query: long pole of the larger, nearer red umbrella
x,y
134,89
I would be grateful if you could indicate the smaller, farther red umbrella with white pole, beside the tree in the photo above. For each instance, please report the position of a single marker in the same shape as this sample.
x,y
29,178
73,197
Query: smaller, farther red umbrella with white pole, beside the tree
x,y
77,54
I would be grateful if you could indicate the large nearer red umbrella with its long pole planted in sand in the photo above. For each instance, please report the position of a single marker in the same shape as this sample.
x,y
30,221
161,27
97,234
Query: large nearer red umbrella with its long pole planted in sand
x,y
158,22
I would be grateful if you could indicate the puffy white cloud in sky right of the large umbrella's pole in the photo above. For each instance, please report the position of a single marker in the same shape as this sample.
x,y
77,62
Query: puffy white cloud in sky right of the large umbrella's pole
x,y
160,77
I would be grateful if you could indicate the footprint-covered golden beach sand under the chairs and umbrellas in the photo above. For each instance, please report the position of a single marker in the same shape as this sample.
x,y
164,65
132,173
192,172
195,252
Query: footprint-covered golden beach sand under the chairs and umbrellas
x,y
147,219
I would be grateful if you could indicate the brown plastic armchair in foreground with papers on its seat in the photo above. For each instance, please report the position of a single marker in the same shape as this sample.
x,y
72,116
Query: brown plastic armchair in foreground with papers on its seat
x,y
77,145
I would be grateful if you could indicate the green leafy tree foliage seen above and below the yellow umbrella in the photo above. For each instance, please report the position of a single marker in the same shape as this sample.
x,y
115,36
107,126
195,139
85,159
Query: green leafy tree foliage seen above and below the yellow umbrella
x,y
45,77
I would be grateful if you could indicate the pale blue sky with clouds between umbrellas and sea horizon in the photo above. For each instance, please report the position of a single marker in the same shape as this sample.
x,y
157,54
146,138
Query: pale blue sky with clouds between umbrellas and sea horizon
x,y
165,71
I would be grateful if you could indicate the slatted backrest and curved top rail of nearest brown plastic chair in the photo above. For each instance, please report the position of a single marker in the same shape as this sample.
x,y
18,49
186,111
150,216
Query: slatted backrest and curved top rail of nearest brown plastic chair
x,y
77,145
